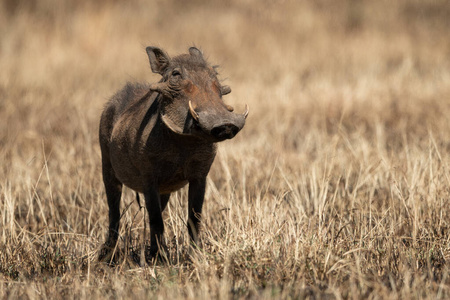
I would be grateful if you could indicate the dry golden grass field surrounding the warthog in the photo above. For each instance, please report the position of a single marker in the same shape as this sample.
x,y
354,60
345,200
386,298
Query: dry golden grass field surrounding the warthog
x,y
338,186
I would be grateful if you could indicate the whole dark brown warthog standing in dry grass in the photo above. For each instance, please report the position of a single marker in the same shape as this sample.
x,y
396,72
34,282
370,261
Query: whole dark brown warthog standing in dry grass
x,y
157,138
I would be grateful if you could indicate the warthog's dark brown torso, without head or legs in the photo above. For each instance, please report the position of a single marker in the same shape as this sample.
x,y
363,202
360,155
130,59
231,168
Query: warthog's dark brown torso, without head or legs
x,y
140,155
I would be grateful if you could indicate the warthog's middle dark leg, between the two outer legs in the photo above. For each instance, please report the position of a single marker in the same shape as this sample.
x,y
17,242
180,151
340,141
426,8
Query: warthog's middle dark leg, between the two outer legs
x,y
153,203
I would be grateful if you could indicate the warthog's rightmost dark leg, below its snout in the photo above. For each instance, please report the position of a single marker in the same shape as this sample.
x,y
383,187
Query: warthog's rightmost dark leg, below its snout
x,y
196,197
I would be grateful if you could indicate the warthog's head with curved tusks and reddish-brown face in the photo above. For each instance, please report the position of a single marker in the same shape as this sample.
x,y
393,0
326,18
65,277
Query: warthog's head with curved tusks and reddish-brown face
x,y
191,102
